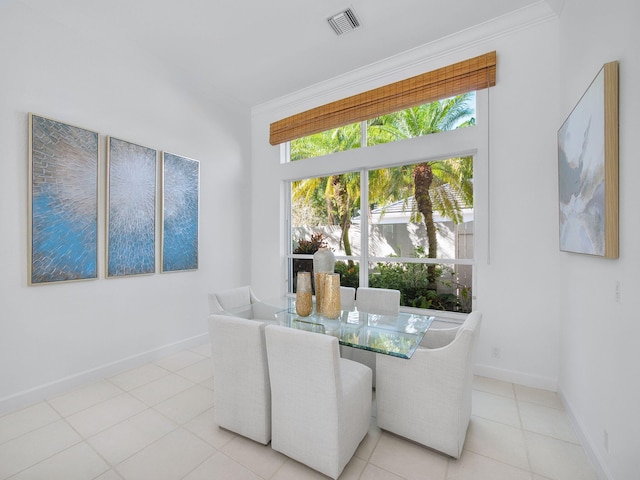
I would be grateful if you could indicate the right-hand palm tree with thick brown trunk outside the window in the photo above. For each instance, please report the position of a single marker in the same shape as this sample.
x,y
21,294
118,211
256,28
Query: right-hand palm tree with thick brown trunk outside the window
x,y
443,186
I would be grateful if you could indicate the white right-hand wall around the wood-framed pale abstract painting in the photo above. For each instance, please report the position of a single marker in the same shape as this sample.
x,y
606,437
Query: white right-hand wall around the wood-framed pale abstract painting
x,y
600,358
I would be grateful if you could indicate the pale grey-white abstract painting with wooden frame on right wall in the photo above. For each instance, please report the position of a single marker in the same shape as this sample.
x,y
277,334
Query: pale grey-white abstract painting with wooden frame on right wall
x,y
588,170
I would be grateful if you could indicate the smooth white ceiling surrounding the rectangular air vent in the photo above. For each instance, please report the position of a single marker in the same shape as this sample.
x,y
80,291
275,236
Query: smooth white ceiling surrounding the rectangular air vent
x,y
253,51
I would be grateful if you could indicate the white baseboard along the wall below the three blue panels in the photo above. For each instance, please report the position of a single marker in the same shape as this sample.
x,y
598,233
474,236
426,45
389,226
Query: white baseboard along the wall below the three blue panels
x,y
57,387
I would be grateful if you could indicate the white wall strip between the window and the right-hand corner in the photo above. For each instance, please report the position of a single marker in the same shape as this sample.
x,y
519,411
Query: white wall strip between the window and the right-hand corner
x,y
519,285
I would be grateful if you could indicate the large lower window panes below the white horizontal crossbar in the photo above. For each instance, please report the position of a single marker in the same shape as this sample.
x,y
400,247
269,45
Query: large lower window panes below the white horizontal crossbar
x,y
418,243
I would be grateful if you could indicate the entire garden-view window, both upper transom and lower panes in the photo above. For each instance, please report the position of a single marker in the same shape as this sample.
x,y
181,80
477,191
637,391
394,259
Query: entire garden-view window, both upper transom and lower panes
x,y
408,226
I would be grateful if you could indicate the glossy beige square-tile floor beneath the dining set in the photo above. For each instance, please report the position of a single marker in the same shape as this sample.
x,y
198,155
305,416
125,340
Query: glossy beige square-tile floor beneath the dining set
x,y
155,422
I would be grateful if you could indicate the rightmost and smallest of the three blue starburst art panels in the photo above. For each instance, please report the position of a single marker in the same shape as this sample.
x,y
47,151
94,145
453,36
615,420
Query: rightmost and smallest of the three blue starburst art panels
x,y
180,206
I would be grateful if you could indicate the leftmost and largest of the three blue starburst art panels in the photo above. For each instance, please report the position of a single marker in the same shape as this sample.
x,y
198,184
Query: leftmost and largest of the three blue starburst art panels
x,y
63,202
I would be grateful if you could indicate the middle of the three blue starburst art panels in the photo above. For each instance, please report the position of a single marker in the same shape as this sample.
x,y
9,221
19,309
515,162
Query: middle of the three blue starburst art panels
x,y
131,208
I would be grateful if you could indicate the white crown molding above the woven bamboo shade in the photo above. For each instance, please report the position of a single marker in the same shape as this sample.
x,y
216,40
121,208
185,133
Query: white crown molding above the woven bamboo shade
x,y
430,56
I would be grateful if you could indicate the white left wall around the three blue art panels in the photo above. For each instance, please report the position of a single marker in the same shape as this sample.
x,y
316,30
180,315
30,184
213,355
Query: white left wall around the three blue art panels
x,y
52,336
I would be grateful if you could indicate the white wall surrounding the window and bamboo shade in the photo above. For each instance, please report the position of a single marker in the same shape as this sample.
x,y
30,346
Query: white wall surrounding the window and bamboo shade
x,y
517,281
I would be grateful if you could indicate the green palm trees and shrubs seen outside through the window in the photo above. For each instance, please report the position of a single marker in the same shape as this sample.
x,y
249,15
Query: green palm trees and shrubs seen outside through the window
x,y
444,186
